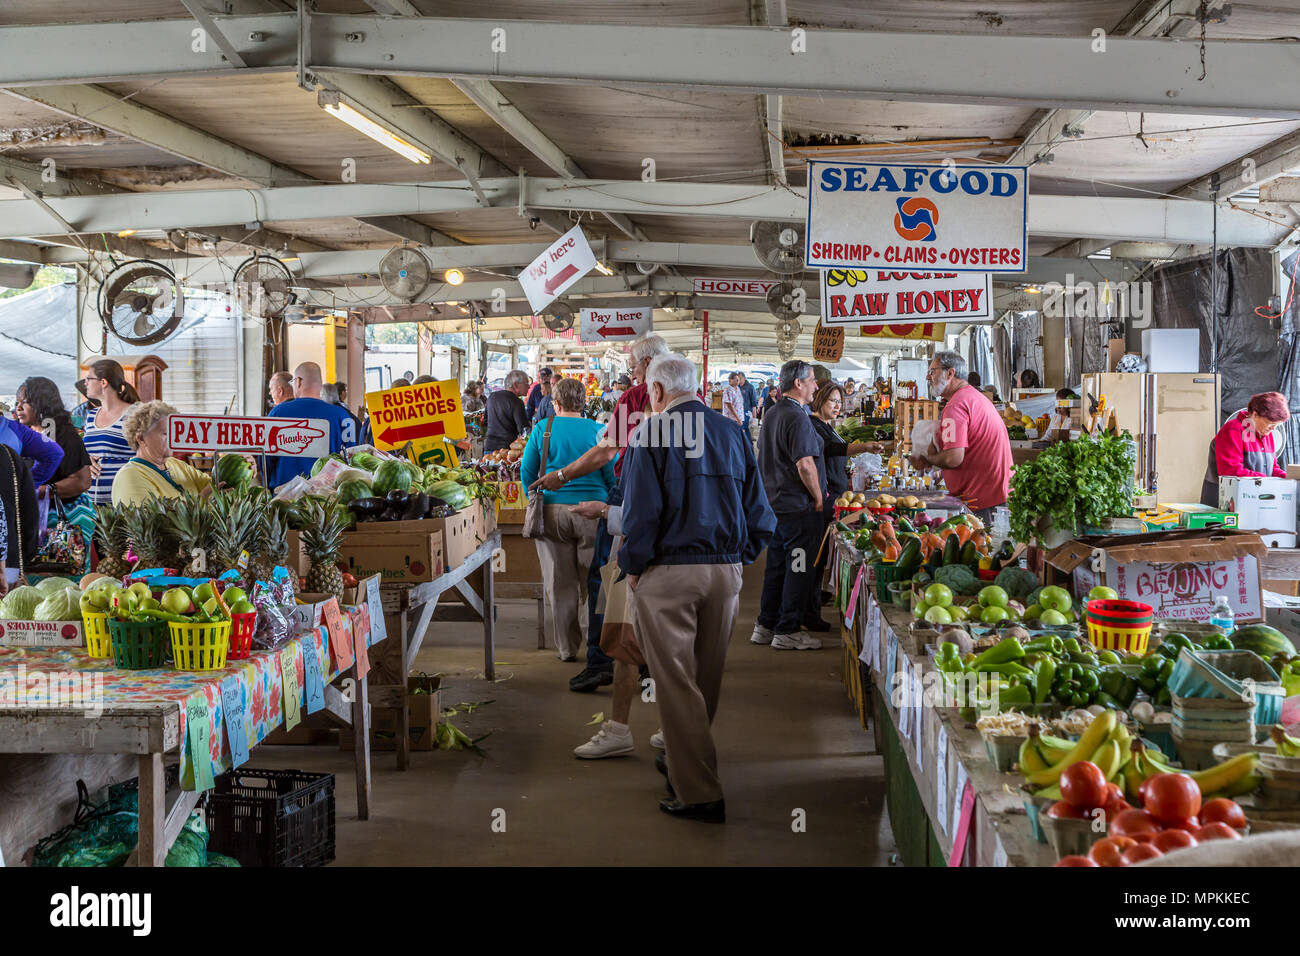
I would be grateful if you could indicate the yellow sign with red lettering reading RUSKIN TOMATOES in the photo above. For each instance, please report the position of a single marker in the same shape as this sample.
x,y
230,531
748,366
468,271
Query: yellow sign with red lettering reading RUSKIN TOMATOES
x,y
427,417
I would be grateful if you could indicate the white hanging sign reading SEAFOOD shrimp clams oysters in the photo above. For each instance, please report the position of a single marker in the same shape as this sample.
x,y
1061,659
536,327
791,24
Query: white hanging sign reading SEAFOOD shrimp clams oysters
x,y
891,215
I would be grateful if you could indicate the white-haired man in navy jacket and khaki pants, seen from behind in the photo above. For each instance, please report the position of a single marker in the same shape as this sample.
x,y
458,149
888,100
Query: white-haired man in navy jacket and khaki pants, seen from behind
x,y
695,512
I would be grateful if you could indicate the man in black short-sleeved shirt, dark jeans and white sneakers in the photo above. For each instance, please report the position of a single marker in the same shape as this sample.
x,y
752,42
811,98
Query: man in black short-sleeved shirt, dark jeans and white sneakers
x,y
794,470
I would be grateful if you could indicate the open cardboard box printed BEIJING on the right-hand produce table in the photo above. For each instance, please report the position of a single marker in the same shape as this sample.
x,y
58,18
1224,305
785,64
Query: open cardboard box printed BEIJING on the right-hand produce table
x,y
1177,573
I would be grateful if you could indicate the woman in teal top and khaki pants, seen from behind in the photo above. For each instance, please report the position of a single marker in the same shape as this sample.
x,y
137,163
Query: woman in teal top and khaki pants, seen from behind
x,y
566,550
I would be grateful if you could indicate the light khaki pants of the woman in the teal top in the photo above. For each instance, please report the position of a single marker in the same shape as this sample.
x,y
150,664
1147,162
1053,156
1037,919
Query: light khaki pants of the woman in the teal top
x,y
565,555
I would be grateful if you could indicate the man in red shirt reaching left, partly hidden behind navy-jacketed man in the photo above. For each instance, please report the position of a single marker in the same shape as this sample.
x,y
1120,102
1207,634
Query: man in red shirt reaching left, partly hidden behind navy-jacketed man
x,y
632,406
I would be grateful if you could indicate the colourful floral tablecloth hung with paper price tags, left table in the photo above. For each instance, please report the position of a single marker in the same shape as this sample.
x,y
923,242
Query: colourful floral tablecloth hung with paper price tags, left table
x,y
261,681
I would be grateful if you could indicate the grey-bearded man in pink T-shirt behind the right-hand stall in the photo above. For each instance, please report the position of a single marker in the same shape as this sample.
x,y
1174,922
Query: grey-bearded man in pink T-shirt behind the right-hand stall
x,y
972,445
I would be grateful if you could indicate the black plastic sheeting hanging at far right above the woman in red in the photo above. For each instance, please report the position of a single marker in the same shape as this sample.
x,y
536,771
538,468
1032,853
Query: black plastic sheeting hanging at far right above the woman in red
x,y
1249,347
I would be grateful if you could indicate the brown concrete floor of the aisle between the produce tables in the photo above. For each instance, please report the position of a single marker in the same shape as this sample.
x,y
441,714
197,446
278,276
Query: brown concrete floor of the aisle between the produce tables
x,y
786,736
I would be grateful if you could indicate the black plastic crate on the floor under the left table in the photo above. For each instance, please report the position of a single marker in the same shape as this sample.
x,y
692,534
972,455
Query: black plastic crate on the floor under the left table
x,y
274,817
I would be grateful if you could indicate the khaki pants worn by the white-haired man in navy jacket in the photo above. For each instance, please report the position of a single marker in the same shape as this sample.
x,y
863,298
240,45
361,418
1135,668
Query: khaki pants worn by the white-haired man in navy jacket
x,y
684,618
